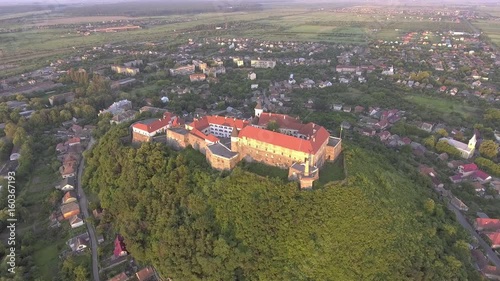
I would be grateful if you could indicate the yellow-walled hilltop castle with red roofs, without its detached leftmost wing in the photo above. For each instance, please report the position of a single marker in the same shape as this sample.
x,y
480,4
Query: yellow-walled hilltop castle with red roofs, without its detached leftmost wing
x,y
300,148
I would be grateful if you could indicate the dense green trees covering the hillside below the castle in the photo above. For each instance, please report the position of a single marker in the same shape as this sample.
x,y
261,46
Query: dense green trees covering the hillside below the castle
x,y
194,223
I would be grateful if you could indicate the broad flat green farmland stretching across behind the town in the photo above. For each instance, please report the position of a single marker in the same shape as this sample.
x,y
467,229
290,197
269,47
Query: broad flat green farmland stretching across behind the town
x,y
31,47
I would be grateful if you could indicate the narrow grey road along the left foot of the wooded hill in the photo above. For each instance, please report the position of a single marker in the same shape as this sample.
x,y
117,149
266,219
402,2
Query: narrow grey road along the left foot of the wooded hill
x,y
85,212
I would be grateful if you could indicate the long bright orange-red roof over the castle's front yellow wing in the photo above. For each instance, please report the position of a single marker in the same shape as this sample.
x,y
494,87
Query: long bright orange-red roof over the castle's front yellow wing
x,y
308,146
